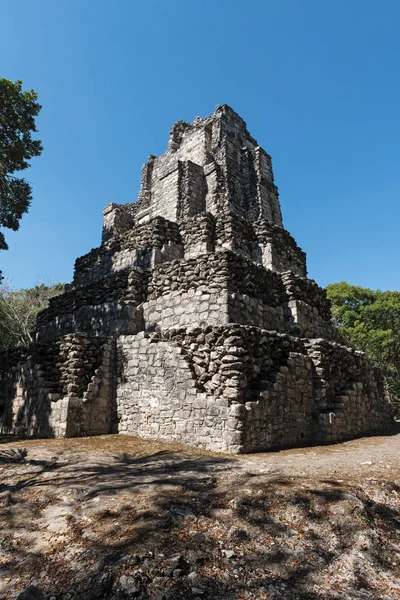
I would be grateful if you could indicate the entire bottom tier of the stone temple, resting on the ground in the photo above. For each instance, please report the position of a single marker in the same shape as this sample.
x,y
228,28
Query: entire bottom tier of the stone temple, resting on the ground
x,y
233,388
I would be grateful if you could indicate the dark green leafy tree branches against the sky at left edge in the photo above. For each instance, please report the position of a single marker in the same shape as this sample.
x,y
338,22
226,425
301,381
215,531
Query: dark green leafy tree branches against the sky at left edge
x,y
18,110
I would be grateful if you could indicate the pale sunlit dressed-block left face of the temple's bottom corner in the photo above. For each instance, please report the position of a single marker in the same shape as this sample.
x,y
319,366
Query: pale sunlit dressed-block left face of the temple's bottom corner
x,y
157,397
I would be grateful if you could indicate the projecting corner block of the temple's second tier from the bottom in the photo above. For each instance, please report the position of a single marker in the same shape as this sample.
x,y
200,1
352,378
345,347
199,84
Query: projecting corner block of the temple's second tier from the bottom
x,y
221,287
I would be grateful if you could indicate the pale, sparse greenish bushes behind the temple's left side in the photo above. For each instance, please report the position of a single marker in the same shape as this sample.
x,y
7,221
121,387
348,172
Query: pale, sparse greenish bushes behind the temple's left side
x,y
18,310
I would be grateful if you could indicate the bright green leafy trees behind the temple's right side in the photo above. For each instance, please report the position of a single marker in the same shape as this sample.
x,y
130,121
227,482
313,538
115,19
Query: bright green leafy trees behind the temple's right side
x,y
370,321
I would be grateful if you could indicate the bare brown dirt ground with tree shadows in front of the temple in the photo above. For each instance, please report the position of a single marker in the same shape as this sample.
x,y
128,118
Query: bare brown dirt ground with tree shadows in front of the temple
x,y
118,517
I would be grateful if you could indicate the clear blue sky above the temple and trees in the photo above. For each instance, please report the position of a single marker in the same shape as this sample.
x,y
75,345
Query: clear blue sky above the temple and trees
x,y
317,82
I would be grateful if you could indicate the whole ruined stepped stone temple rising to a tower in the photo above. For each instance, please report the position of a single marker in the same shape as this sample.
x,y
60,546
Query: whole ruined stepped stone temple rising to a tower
x,y
194,320
